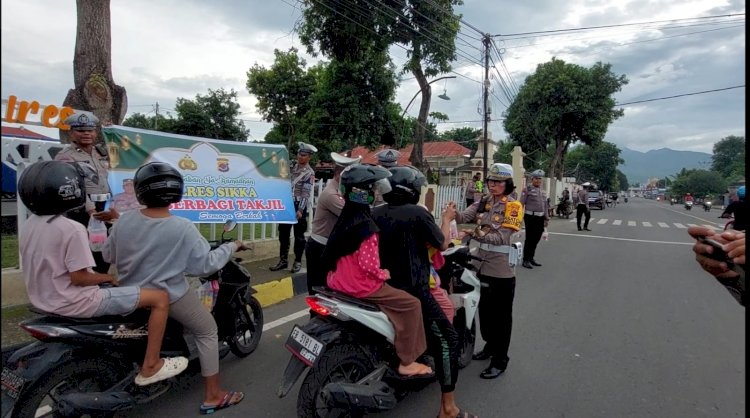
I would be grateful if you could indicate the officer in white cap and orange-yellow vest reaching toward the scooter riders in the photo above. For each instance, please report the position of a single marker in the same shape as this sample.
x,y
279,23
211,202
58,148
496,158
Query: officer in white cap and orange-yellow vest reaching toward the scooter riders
x,y
498,217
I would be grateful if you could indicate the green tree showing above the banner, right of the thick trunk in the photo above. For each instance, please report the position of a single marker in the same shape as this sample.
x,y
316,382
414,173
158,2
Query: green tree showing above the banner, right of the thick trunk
x,y
215,115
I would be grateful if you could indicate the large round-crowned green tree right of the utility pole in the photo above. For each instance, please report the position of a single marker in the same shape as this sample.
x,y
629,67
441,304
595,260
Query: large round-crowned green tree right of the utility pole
x,y
561,104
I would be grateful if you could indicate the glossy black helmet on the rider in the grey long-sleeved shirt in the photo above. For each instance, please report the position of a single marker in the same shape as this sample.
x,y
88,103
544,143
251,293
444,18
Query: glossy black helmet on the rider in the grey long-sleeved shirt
x,y
158,184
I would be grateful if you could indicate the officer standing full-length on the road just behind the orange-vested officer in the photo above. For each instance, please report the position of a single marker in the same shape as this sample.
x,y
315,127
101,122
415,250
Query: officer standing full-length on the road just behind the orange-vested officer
x,y
536,217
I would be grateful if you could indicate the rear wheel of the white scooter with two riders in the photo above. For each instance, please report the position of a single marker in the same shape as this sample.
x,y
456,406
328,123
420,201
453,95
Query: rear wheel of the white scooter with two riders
x,y
339,363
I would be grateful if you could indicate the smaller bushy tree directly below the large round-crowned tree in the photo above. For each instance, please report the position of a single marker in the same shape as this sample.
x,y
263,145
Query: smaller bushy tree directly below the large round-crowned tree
x,y
597,164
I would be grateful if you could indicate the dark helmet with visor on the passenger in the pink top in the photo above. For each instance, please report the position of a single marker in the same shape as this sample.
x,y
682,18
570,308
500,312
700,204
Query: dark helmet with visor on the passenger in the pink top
x,y
359,182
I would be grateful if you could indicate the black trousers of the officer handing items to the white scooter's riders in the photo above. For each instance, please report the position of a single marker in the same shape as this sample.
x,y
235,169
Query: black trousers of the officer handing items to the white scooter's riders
x,y
496,317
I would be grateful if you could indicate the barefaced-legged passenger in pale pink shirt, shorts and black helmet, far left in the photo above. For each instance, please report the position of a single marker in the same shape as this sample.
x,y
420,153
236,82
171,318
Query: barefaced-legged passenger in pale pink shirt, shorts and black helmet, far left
x,y
57,263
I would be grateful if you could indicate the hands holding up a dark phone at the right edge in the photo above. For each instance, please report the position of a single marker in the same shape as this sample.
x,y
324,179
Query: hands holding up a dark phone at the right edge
x,y
726,263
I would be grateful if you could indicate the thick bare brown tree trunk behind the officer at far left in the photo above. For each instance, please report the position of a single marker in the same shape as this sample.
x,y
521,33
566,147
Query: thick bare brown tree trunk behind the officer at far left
x,y
94,89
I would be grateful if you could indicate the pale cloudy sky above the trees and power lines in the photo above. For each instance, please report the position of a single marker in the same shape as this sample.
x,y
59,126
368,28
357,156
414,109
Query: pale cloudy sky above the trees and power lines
x,y
165,49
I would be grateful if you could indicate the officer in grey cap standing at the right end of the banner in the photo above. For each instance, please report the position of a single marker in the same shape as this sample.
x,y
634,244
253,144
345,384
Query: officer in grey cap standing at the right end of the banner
x,y
303,179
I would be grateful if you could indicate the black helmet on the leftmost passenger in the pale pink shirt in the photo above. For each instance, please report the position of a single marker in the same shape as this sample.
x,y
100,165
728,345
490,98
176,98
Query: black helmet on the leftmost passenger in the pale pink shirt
x,y
52,187
